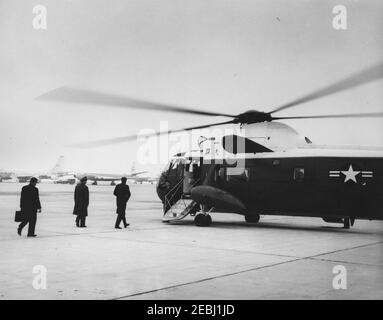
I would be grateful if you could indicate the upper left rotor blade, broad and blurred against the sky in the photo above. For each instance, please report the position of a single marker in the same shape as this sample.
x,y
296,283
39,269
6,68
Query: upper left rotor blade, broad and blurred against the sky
x,y
92,97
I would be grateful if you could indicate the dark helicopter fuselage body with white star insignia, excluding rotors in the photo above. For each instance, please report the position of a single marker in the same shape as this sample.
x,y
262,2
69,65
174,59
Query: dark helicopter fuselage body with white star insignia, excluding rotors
x,y
323,183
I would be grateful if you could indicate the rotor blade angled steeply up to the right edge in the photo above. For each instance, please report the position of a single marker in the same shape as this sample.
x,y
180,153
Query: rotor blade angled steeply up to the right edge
x,y
360,78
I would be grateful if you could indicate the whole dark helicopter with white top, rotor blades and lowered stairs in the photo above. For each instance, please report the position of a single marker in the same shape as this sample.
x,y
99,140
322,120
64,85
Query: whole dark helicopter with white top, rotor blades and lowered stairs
x,y
266,169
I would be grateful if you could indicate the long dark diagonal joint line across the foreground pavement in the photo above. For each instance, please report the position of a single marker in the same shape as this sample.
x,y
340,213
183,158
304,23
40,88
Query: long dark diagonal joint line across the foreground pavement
x,y
241,272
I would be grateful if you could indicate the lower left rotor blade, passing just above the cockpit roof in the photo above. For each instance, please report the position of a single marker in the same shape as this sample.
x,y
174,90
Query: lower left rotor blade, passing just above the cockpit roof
x,y
106,142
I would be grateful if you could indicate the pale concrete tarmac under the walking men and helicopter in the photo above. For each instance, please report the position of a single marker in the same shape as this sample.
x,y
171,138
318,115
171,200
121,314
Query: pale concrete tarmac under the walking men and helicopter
x,y
279,258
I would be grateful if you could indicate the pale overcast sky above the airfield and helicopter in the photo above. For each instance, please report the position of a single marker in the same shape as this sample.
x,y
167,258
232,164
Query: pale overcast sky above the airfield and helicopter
x,y
218,55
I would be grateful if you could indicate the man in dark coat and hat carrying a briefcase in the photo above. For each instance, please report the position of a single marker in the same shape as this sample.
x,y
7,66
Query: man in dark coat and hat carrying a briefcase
x,y
29,205
